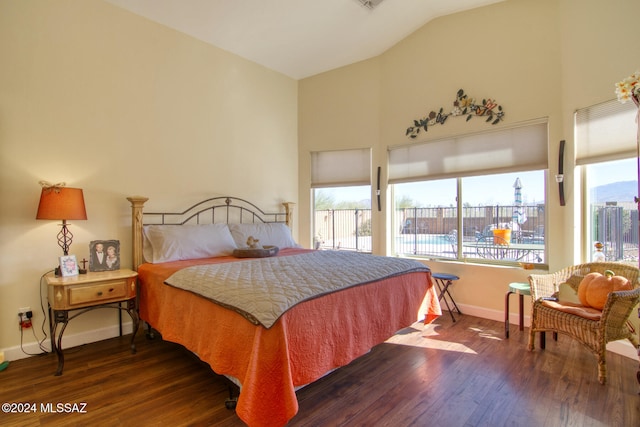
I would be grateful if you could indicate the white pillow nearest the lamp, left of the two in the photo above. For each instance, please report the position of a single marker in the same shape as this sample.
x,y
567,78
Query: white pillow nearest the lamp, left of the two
x,y
179,242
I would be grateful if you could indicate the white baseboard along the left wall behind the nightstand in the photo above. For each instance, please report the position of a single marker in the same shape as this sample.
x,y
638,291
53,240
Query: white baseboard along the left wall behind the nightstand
x,y
68,341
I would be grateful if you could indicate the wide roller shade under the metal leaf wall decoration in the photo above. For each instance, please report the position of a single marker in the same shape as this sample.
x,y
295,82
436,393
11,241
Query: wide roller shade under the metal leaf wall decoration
x,y
506,150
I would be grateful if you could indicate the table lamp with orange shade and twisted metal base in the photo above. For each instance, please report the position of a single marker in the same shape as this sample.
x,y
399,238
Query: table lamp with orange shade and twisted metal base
x,y
61,203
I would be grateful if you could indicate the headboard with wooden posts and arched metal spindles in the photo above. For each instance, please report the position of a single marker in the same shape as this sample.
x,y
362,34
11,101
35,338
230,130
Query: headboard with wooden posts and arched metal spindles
x,y
229,210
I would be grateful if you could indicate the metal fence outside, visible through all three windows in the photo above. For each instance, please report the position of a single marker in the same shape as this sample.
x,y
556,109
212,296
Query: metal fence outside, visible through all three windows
x,y
433,231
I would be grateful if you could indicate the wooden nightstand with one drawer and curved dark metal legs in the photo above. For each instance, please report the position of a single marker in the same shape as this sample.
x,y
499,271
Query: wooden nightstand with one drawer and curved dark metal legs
x,y
86,292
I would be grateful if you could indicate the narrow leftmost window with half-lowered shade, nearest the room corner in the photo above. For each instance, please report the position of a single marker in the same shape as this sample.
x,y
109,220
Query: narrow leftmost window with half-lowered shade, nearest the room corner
x,y
341,183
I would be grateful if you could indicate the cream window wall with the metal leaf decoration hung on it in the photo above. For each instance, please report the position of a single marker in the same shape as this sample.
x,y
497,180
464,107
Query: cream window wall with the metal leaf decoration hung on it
x,y
536,58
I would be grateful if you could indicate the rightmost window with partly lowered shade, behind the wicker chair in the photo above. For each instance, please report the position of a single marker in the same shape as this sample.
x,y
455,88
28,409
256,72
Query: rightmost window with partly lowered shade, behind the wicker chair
x,y
606,149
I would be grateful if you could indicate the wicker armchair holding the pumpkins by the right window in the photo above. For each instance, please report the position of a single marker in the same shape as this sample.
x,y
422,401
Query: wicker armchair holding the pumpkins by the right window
x,y
593,334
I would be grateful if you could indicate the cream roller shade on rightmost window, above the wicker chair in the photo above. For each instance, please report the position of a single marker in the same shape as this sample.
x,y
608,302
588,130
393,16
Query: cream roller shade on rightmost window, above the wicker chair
x,y
605,132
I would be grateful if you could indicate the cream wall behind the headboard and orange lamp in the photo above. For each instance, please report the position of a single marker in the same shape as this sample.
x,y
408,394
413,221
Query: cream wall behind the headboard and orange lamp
x,y
117,105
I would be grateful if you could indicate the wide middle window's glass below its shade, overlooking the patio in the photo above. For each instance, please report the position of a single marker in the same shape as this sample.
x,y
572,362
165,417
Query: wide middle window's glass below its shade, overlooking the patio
x,y
500,223
